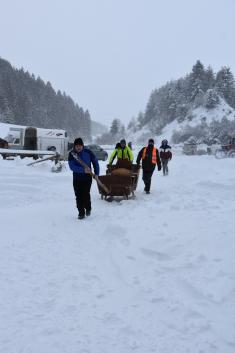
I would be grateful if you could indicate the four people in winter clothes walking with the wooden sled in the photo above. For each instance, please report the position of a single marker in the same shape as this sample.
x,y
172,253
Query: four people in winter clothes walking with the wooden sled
x,y
80,160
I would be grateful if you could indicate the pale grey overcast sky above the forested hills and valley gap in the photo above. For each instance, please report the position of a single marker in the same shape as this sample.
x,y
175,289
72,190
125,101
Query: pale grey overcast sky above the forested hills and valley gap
x,y
108,55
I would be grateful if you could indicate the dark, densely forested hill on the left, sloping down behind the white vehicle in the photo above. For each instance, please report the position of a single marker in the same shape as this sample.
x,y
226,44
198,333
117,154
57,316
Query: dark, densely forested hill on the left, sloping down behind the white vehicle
x,y
26,100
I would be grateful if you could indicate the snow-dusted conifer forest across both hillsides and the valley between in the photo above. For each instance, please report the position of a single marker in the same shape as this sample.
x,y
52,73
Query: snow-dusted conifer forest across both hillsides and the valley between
x,y
27,100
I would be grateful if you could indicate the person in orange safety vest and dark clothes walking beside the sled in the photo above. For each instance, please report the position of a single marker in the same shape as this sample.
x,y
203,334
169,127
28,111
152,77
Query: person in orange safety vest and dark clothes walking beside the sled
x,y
150,158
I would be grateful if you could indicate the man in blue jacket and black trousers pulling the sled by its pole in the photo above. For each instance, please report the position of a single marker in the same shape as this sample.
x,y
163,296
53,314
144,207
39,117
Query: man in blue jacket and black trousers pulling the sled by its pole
x,y
82,178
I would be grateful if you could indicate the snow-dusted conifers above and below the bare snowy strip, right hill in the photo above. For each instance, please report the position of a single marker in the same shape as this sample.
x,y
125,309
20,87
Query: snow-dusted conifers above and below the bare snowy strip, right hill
x,y
177,99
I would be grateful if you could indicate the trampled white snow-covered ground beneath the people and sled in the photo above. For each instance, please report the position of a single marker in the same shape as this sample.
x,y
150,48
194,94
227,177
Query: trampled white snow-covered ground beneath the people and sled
x,y
154,274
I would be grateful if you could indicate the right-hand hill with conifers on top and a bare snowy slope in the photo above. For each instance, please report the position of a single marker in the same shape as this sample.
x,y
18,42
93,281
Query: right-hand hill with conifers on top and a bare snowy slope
x,y
200,105
